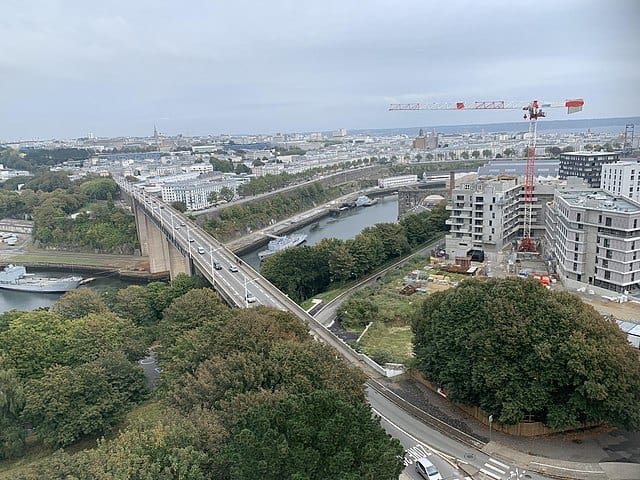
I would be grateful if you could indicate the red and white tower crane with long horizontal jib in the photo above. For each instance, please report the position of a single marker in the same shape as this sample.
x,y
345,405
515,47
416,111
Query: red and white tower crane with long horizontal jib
x,y
532,111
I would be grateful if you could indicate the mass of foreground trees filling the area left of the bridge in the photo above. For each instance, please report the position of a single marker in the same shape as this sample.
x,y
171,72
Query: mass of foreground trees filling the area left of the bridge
x,y
243,394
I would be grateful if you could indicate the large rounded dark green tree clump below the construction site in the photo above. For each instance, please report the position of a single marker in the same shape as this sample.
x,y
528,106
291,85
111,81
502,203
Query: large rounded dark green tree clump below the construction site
x,y
522,352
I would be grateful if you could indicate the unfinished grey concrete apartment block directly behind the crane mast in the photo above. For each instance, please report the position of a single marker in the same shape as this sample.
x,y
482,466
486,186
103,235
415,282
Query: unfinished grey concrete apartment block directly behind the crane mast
x,y
487,214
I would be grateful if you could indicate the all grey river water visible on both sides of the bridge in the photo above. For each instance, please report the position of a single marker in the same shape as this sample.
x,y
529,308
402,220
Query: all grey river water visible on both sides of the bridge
x,y
347,225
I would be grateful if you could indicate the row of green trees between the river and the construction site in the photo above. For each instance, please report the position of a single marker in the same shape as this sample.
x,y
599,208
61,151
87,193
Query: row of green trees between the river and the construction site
x,y
305,271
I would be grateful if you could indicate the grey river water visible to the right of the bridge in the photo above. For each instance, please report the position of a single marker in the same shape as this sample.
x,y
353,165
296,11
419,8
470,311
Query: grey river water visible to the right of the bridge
x,y
347,225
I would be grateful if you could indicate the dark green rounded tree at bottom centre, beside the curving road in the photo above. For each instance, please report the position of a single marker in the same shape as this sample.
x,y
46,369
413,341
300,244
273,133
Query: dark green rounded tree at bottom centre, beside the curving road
x,y
319,435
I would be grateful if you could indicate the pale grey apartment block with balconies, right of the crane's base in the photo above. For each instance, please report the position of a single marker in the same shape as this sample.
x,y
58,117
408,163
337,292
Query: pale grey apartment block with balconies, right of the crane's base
x,y
594,239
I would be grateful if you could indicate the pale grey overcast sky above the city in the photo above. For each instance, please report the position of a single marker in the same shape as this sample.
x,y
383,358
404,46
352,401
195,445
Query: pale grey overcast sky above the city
x,y
199,67
